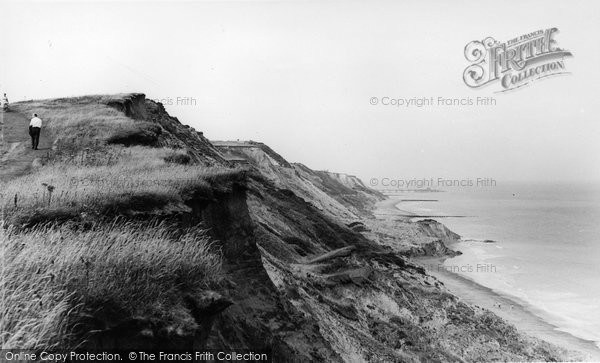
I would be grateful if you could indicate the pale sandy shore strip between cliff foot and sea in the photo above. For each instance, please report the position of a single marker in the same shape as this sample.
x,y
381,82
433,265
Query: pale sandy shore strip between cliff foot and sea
x,y
506,307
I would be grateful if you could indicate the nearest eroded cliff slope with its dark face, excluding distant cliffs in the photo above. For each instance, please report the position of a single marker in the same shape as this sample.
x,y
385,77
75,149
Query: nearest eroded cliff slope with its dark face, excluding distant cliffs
x,y
316,290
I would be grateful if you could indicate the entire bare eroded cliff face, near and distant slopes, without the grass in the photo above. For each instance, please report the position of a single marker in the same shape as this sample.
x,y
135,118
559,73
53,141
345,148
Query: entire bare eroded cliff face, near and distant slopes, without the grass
x,y
303,282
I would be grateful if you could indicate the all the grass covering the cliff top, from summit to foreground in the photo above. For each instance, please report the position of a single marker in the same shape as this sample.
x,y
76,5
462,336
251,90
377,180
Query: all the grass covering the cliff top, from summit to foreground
x,y
70,247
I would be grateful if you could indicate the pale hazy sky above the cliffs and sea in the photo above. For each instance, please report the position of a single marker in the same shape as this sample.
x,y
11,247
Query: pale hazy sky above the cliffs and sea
x,y
300,76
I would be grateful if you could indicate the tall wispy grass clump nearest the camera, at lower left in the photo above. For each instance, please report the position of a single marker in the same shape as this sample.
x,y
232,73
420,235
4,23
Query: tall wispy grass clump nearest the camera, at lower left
x,y
54,273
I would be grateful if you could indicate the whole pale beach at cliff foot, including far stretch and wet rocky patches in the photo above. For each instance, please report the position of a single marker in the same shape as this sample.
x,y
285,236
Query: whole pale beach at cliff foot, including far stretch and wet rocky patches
x,y
525,317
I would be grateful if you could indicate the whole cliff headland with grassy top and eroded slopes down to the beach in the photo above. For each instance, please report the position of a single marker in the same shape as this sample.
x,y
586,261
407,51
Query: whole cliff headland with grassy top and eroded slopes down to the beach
x,y
281,258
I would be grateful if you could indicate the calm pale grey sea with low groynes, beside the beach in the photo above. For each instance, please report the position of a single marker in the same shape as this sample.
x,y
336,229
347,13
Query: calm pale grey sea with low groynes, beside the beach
x,y
536,243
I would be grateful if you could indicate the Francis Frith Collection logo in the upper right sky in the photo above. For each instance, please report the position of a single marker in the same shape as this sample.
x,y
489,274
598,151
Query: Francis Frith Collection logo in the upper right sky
x,y
514,63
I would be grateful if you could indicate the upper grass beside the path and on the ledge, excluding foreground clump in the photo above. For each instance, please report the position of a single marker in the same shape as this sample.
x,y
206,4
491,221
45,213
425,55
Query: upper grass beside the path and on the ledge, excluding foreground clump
x,y
96,170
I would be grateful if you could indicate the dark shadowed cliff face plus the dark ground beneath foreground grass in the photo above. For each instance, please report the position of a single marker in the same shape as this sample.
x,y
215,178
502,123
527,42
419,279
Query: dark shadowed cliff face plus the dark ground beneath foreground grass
x,y
246,310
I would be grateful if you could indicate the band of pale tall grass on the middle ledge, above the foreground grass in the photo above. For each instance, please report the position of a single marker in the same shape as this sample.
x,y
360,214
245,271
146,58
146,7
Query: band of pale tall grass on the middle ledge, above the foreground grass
x,y
136,179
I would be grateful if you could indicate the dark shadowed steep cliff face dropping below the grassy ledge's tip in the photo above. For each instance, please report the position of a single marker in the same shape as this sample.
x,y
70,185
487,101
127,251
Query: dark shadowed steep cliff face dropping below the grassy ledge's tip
x,y
260,318
